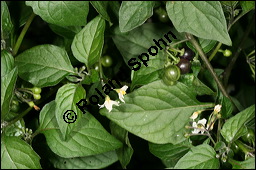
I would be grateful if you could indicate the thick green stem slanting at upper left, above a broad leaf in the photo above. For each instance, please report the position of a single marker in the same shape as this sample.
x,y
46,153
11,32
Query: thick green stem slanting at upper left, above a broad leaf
x,y
22,34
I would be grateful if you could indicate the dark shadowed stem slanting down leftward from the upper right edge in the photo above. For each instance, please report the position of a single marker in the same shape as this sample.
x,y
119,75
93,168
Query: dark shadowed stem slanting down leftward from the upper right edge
x,y
229,68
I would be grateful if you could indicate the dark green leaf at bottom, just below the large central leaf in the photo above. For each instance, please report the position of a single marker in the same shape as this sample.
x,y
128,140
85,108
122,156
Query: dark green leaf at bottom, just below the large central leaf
x,y
169,152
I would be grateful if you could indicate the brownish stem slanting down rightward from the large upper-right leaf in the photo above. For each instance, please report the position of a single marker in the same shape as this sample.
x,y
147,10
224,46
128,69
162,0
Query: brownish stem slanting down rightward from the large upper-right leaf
x,y
207,63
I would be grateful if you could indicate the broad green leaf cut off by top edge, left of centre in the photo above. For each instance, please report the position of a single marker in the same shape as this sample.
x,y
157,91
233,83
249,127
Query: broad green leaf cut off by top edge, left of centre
x,y
62,13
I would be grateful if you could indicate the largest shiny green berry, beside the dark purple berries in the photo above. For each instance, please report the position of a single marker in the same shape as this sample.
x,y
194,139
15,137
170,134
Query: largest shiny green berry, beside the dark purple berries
x,y
172,73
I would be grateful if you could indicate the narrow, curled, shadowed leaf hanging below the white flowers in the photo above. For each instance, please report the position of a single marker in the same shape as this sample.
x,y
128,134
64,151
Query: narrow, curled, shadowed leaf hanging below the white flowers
x,y
124,153
